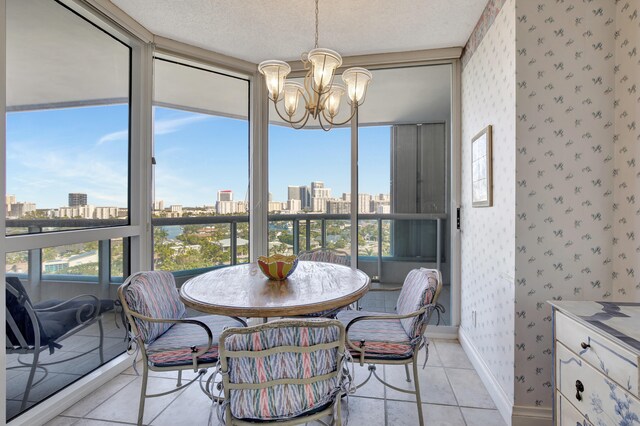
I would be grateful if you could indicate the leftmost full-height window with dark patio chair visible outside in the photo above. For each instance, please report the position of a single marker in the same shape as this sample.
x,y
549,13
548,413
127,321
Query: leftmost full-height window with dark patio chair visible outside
x,y
67,169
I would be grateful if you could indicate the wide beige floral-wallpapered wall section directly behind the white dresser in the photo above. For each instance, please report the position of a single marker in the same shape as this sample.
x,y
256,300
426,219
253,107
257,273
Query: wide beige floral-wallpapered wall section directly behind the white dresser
x,y
565,162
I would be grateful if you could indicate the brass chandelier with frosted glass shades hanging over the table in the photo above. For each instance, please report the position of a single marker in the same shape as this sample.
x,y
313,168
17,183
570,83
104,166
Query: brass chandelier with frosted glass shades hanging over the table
x,y
320,94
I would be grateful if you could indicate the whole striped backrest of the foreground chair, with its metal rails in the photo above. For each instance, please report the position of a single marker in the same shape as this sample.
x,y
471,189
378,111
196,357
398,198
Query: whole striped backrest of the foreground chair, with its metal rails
x,y
281,369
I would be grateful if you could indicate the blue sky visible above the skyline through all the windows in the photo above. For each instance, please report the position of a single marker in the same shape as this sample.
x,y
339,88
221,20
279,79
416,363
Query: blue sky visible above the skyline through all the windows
x,y
53,152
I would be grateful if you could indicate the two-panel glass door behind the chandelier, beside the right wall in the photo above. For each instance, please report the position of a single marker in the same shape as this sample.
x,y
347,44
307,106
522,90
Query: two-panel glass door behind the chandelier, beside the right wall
x,y
404,166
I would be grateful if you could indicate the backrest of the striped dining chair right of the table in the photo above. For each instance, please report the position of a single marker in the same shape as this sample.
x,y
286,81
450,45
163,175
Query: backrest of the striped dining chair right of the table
x,y
421,287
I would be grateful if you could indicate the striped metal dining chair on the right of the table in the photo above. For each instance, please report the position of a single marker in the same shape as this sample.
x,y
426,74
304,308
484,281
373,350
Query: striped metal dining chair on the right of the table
x,y
380,338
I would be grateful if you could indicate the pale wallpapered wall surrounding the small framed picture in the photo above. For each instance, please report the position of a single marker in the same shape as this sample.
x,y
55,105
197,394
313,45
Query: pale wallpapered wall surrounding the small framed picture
x,y
488,234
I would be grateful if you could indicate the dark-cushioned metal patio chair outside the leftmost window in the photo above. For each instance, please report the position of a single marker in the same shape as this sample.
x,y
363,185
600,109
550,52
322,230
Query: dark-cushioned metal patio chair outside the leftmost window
x,y
34,328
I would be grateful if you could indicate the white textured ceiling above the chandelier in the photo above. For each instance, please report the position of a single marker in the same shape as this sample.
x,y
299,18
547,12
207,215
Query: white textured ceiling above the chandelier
x,y
266,29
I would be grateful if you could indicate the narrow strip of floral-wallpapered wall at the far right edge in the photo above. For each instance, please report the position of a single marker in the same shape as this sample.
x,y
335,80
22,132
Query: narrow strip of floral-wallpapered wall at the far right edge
x,y
626,174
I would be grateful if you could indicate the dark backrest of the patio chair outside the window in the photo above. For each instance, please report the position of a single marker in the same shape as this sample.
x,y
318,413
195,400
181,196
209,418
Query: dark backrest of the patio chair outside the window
x,y
20,329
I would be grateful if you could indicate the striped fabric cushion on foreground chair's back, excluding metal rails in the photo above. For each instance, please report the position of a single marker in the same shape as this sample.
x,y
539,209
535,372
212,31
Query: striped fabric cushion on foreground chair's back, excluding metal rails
x,y
283,400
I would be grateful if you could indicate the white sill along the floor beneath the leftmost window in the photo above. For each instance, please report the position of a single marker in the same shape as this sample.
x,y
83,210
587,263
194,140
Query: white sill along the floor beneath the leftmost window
x,y
56,404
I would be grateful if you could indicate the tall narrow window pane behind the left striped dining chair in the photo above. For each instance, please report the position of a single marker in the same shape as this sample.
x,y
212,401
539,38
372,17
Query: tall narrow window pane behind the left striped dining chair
x,y
201,168
